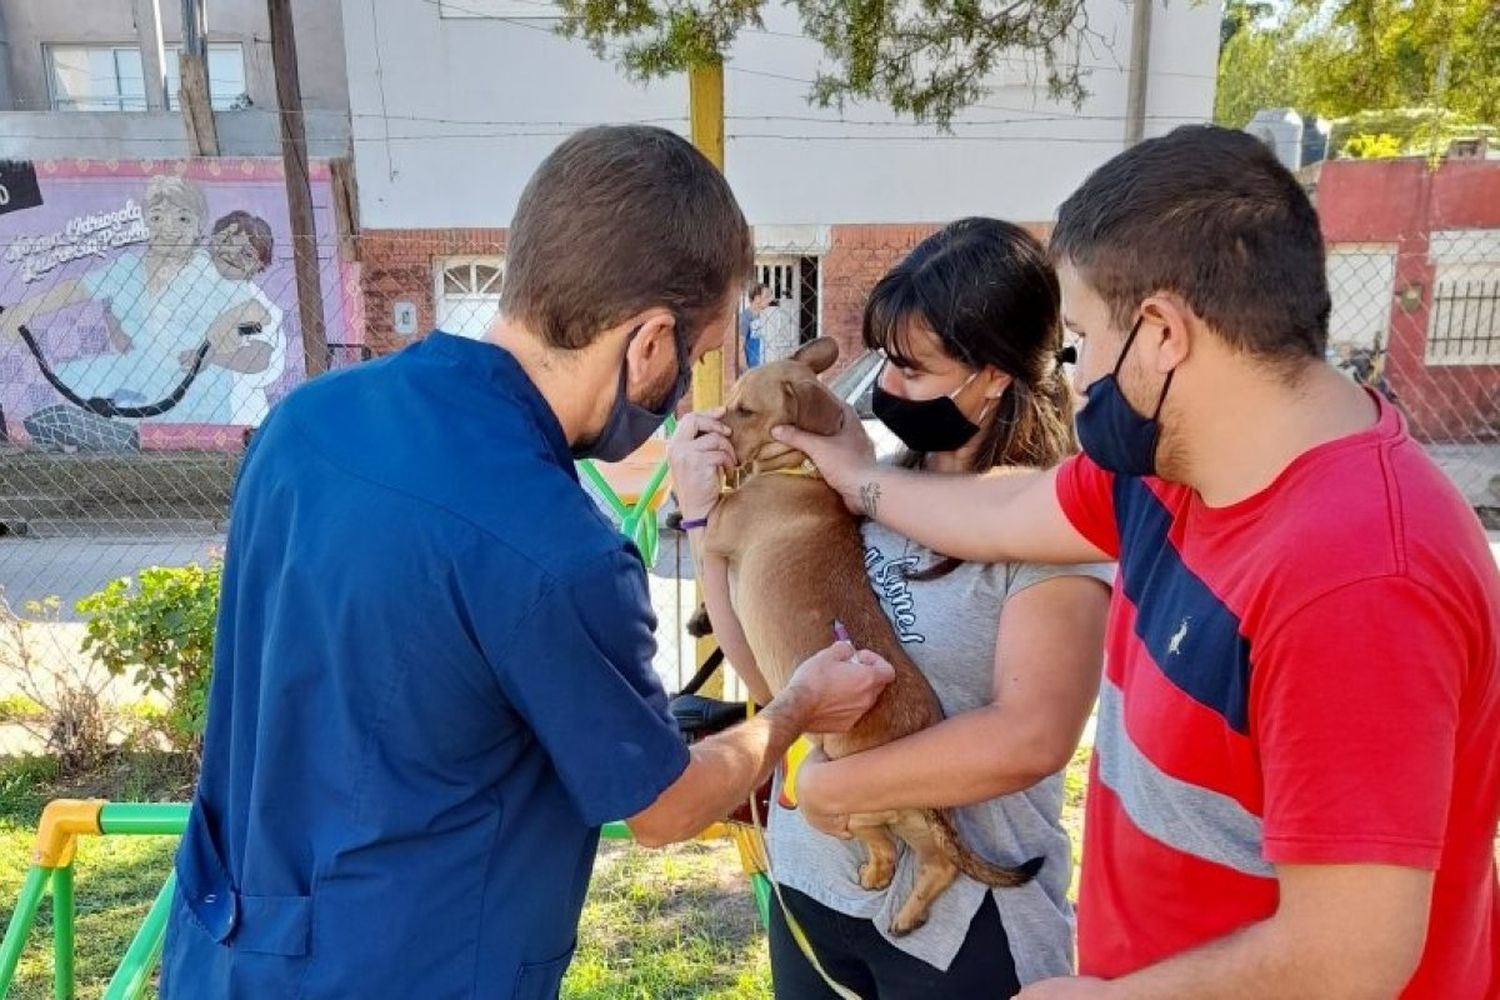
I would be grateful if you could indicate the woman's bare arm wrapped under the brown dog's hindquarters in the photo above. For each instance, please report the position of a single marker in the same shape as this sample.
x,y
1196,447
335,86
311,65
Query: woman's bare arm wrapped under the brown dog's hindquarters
x,y
1046,678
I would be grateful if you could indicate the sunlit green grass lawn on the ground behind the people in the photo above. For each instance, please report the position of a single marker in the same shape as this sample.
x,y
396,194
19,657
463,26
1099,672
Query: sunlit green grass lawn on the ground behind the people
x,y
676,924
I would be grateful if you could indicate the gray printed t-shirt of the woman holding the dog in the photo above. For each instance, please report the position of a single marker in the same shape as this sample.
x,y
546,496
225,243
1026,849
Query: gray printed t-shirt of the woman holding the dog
x,y
949,627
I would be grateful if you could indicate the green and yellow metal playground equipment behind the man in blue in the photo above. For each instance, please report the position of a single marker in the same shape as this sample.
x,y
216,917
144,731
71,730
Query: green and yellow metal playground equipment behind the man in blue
x,y
65,821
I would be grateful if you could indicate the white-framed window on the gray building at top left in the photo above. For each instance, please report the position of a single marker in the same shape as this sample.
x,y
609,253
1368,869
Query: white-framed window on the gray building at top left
x,y
110,77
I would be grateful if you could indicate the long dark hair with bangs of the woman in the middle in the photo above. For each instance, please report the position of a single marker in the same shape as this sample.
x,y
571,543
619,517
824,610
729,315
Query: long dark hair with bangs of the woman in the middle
x,y
989,293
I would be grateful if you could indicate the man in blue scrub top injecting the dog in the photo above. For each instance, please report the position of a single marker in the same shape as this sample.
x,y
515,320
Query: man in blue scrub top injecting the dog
x,y
433,675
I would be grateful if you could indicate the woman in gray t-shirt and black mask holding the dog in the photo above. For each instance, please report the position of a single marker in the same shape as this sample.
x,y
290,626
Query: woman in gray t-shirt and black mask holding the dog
x,y
971,331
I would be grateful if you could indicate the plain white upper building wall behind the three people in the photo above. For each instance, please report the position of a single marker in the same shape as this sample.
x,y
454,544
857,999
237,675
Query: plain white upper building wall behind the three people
x,y
452,115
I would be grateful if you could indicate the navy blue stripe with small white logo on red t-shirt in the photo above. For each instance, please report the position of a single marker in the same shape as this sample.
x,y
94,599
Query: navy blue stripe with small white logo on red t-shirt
x,y
1192,636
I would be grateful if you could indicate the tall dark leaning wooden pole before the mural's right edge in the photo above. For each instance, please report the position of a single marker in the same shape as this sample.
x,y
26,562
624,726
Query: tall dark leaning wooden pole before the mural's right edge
x,y
299,190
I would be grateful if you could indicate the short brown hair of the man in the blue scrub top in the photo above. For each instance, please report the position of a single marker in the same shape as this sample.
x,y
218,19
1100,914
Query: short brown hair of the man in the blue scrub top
x,y
616,221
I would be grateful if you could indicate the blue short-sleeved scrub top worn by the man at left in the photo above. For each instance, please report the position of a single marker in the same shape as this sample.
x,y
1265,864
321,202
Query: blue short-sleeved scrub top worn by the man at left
x,y
433,684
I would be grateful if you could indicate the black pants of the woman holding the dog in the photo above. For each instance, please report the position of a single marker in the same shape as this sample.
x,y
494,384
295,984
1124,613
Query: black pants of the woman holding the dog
x,y
856,956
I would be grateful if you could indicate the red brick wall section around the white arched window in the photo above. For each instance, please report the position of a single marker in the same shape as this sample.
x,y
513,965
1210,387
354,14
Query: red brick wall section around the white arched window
x,y
398,266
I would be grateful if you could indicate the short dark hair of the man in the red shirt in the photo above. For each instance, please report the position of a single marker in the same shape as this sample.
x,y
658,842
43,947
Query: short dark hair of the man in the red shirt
x,y
1211,215
